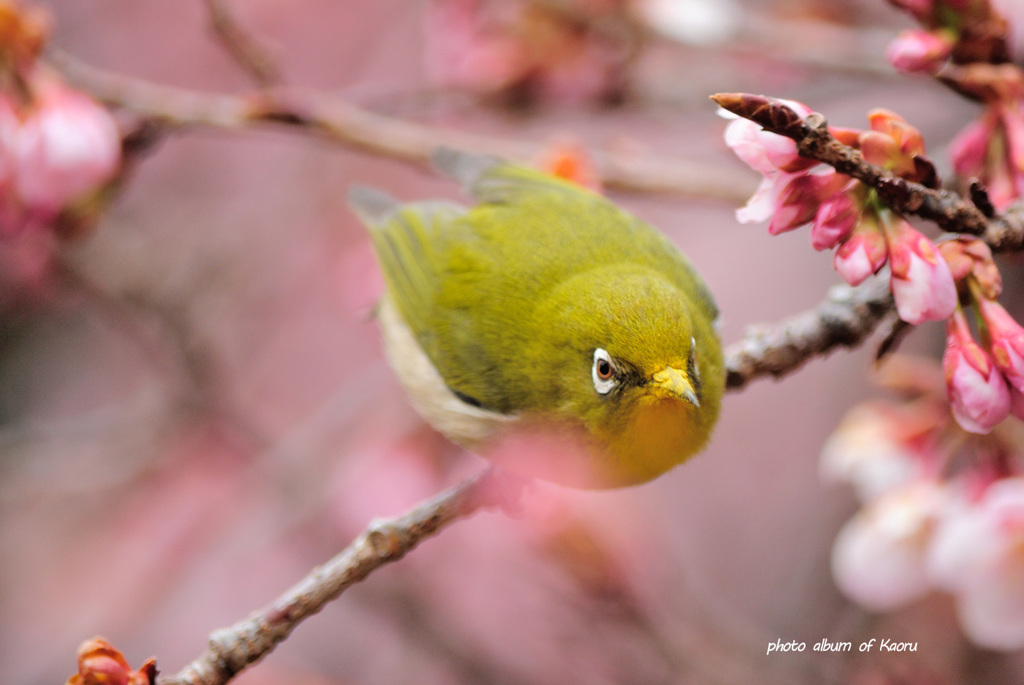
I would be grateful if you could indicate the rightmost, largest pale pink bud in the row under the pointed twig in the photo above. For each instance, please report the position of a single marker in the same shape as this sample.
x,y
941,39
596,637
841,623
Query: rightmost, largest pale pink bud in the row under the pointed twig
x,y
921,282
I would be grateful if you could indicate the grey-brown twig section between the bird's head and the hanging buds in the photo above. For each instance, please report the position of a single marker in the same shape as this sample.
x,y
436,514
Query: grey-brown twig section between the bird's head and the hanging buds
x,y
846,319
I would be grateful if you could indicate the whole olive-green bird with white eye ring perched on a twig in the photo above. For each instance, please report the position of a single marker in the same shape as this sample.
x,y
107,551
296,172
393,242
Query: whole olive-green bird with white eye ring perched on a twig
x,y
545,328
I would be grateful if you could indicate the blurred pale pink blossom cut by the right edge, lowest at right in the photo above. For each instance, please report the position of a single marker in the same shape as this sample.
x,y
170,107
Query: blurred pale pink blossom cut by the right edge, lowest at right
x,y
978,554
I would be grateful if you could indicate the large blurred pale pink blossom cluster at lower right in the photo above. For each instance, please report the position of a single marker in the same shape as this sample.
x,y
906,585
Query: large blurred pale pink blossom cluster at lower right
x,y
944,510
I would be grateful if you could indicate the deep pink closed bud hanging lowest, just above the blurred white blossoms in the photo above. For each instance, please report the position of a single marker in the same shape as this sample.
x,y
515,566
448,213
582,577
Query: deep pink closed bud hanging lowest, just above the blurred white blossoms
x,y
977,391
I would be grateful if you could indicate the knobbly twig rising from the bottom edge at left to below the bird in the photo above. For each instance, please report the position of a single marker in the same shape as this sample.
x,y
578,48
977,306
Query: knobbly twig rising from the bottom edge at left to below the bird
x,y
233,650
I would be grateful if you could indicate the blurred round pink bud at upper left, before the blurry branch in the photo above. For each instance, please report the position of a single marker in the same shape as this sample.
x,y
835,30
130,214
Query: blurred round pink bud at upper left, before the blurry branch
x,y
68,146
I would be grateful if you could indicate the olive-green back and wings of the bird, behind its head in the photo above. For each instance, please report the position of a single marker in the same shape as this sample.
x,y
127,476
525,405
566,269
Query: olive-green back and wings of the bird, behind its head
x,y
468,282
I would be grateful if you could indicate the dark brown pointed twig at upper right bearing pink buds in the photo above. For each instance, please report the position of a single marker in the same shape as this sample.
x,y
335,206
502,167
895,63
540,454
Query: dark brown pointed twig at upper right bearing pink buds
x,y
1004,233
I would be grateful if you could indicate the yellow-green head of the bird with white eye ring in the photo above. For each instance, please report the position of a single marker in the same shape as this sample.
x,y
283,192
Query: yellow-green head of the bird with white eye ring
x,y
637,365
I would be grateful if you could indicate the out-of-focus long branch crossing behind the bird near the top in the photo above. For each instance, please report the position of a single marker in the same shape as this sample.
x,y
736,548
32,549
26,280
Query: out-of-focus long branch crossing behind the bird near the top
x,y
355,127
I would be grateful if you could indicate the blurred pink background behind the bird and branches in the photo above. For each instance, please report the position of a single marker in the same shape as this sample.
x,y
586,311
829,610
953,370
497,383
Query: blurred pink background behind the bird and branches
x,y
198,412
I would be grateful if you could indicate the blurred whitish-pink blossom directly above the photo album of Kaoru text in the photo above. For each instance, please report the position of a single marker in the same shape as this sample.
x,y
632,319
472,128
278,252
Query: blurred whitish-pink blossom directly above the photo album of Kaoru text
x,y
879,559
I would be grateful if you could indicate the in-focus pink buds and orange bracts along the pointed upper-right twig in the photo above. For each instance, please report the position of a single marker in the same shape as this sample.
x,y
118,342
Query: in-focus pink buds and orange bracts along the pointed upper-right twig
x,y
847,216
